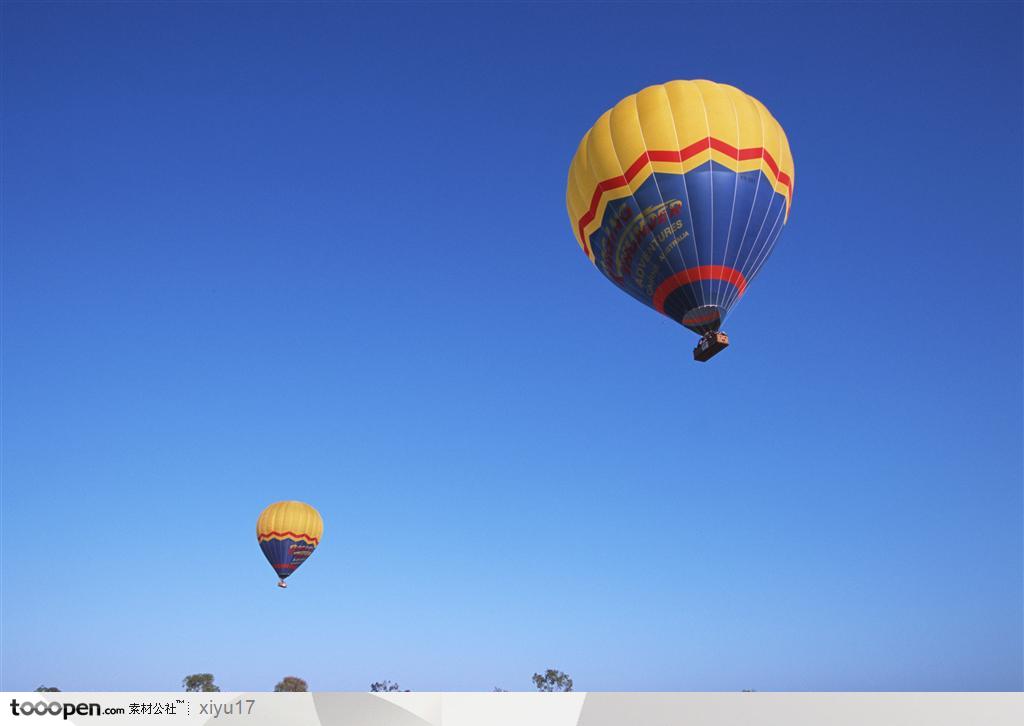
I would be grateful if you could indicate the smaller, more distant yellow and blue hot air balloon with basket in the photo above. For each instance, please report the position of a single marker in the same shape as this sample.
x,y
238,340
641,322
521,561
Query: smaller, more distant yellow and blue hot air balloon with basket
x,y
288,534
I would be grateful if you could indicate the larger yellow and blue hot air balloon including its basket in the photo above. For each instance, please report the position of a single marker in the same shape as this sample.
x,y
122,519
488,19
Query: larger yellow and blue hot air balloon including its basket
x,y
678,195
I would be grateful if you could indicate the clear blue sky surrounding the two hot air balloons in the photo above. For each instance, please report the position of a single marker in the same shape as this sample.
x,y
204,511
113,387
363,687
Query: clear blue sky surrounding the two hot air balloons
x,y
259,251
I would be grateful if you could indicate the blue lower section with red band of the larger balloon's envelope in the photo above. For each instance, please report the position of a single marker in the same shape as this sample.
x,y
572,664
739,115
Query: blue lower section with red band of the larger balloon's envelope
x,y
690,244
